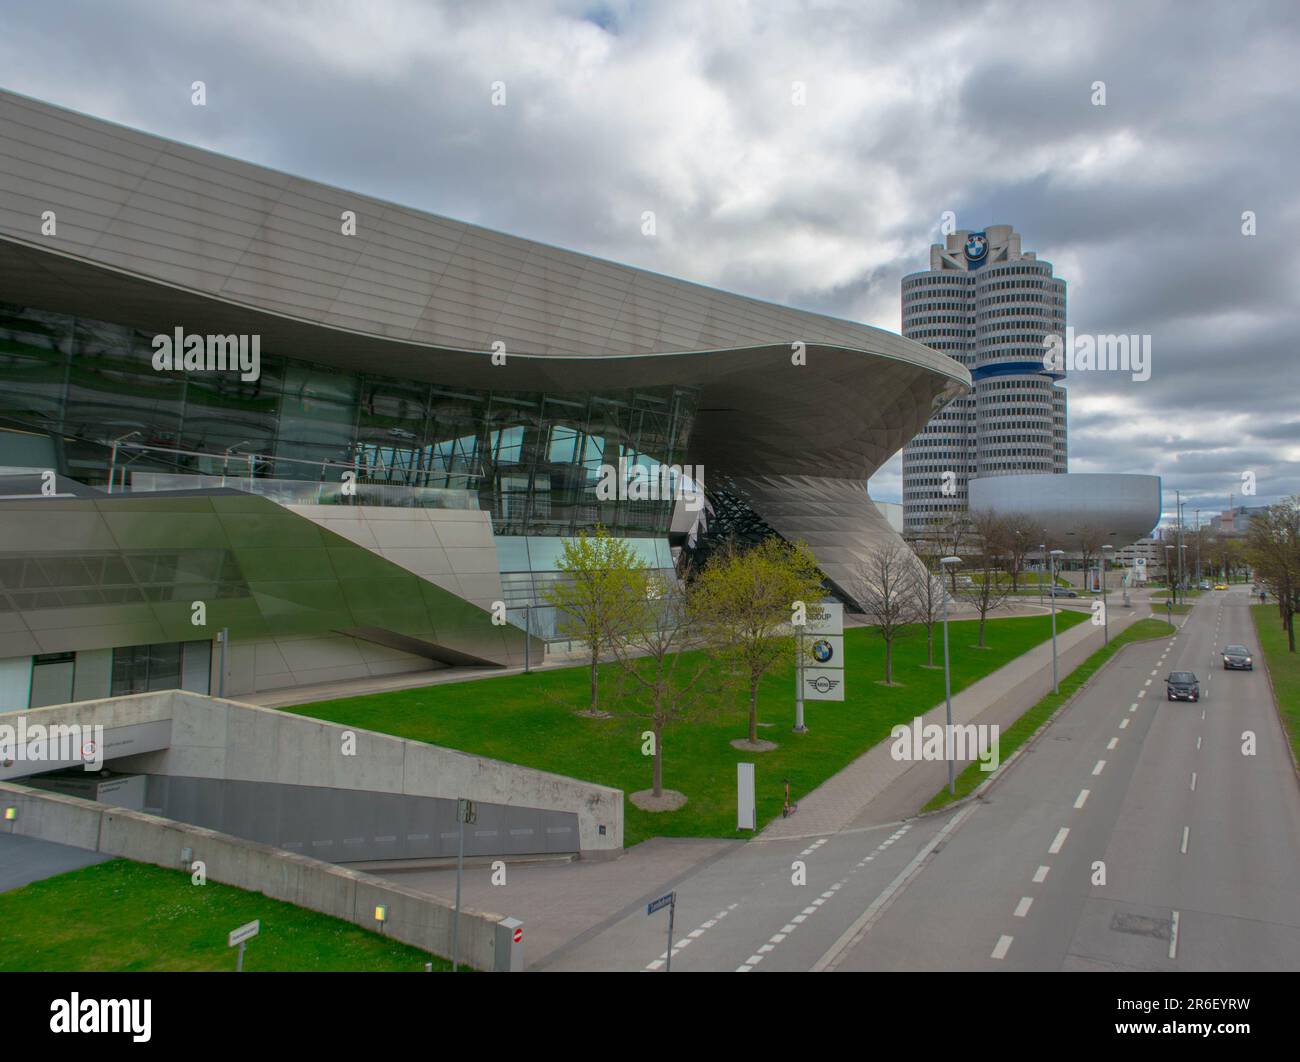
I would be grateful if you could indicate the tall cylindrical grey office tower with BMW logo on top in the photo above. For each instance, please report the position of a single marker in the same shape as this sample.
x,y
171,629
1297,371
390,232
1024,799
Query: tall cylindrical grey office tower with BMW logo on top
x,y
989,305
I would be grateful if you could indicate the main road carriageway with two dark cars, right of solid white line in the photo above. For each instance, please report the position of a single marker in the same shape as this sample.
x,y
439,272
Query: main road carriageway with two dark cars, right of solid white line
x,y
1201,843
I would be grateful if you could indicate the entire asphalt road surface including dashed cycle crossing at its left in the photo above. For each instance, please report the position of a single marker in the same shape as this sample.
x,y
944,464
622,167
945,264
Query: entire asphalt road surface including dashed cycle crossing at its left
x,y
1199,844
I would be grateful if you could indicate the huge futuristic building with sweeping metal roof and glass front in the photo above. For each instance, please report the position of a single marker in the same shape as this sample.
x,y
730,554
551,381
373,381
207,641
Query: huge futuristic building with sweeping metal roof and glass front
x,y
356,436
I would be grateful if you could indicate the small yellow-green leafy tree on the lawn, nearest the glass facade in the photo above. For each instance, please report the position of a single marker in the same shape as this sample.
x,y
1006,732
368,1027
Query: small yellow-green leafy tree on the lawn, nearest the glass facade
x,y
600,599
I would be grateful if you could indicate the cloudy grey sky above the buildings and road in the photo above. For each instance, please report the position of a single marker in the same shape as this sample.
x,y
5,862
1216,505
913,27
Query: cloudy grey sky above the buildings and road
x,y
687,110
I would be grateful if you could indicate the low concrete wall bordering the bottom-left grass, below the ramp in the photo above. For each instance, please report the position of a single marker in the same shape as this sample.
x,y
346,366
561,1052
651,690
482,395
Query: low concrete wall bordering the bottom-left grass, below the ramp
x,y
415,918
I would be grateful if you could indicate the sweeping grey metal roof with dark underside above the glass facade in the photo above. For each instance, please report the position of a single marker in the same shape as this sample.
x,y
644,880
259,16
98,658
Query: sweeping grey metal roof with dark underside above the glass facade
x,y
153,233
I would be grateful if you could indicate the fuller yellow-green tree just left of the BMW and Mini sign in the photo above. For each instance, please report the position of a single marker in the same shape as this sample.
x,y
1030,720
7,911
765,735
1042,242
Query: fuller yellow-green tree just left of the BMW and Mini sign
x,y
744,601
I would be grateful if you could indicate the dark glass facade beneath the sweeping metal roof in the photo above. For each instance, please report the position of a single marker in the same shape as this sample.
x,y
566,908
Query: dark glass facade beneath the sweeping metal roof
x,y
73,385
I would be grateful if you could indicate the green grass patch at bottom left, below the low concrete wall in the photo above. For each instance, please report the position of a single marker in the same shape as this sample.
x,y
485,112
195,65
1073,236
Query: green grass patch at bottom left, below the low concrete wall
x,y
129,917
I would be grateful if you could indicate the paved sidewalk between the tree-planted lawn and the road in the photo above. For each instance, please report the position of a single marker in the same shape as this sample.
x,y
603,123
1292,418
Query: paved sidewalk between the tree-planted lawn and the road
x,y
877,788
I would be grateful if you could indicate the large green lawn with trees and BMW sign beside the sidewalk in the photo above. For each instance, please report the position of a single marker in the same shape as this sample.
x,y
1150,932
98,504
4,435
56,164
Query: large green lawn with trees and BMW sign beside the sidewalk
x,y
530,719
